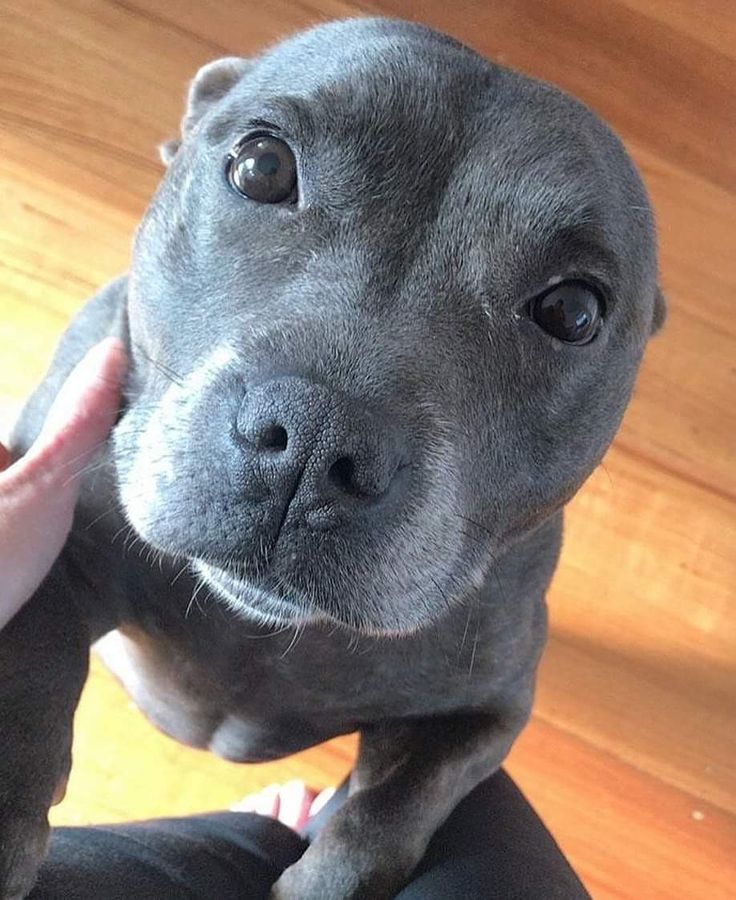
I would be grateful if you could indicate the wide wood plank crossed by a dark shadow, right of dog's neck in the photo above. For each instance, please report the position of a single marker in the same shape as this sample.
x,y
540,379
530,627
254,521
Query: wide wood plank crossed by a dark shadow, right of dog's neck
x,y
640,662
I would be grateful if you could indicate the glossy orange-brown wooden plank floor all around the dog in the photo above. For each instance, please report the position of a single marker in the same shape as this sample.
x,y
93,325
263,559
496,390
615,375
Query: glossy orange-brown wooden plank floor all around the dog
x,y
630,756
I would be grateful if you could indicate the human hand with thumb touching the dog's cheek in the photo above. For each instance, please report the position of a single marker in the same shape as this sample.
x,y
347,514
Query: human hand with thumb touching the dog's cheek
x,y
39,491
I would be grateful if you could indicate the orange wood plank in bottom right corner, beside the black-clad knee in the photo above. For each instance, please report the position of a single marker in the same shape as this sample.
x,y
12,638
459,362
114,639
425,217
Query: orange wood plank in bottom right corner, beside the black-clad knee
x,y
628,835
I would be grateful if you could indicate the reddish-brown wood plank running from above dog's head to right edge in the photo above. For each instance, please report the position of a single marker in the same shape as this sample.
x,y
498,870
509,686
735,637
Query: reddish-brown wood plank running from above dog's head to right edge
x,y
655,84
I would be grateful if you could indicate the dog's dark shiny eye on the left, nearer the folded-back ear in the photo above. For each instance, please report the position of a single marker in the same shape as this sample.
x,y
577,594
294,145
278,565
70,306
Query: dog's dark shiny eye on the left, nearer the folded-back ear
x,y
263,168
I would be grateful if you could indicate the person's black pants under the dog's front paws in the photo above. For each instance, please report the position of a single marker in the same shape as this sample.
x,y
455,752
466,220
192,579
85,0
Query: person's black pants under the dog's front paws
x,y
492,846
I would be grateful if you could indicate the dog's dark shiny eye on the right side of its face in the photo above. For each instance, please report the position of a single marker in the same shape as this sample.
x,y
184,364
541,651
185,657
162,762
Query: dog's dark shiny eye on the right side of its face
x,y
570,311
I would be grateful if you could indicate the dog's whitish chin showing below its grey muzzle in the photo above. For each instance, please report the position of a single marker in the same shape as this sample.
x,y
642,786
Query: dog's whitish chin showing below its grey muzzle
x,y
251,601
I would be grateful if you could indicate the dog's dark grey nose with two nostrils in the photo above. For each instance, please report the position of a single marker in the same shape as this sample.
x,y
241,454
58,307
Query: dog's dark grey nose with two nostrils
x,y
316,448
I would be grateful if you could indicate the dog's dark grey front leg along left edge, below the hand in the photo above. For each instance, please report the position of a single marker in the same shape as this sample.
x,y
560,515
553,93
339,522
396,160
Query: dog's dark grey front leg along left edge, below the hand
x,y
44,654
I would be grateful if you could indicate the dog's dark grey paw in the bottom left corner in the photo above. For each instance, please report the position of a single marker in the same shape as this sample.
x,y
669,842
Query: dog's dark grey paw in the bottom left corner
x,y
23,842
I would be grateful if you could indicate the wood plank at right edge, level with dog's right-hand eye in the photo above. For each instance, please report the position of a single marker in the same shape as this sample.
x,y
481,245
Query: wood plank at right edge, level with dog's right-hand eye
x,y
683,416
